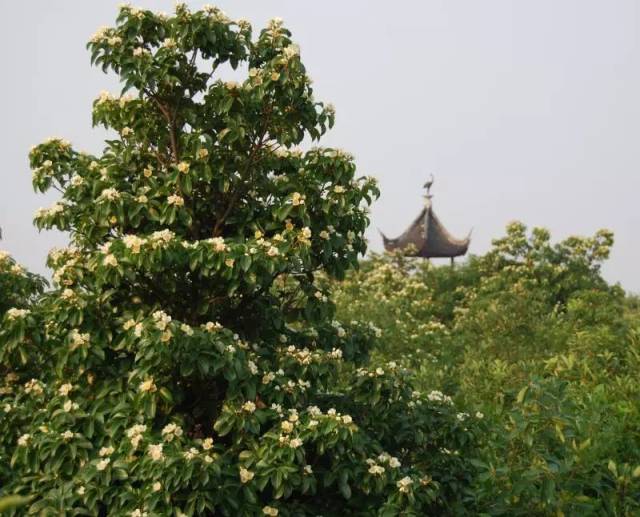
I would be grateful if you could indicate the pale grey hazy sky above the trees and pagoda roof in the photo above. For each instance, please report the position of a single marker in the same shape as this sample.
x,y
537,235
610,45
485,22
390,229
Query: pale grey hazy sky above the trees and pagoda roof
x,y
521,110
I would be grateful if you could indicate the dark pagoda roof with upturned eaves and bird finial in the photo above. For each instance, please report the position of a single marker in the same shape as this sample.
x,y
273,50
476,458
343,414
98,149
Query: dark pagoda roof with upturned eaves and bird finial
x,y
427,237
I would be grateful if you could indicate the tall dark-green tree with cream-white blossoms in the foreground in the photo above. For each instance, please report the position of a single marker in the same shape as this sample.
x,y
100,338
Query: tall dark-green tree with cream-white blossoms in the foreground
x,y
186,361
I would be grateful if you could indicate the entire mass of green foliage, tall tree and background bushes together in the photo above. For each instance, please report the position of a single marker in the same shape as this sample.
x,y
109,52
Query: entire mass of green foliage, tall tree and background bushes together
x,y
210,343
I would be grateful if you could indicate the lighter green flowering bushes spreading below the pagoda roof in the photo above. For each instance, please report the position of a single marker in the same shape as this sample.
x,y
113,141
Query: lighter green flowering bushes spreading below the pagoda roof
x,y
532,338
